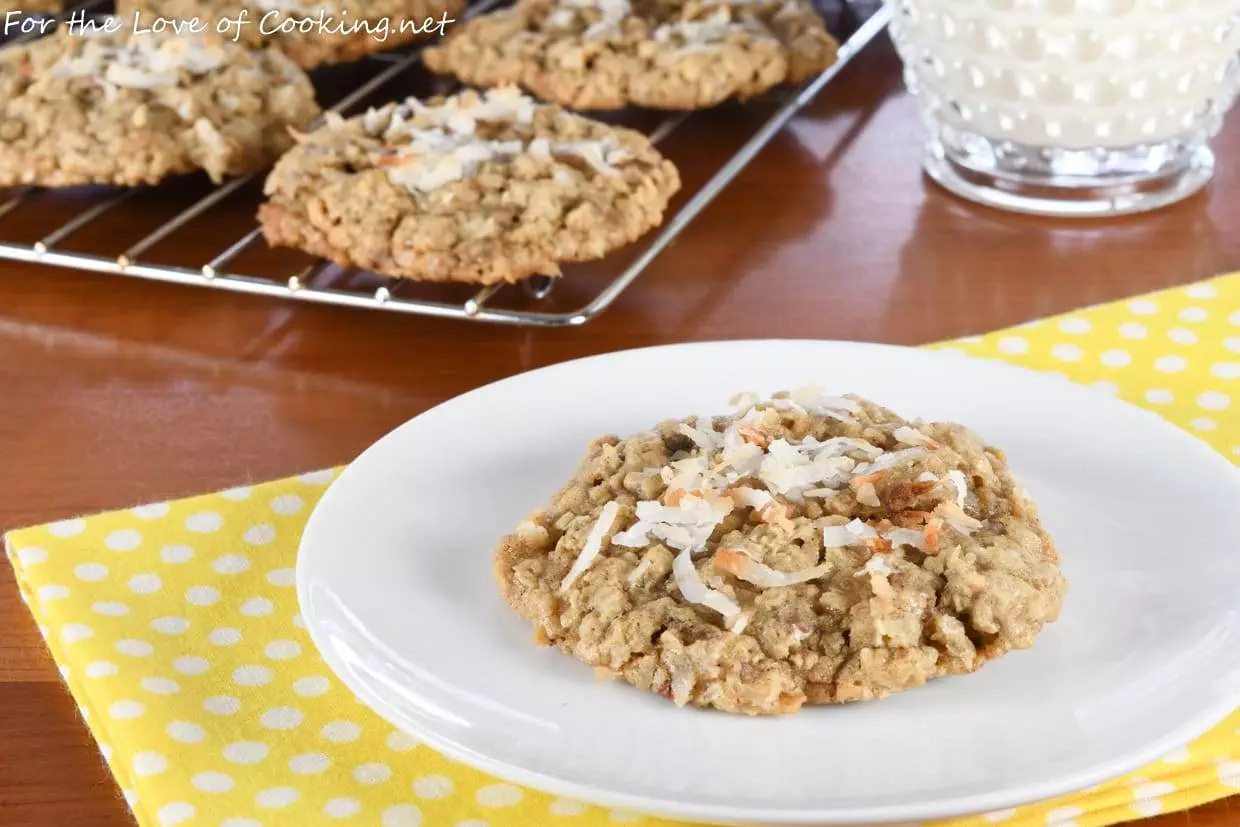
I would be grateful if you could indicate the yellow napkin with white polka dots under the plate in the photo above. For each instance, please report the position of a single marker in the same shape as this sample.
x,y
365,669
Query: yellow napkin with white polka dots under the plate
x,y
177,628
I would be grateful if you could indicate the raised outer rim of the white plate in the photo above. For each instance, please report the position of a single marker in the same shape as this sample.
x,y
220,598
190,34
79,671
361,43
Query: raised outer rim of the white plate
x,y
1206,717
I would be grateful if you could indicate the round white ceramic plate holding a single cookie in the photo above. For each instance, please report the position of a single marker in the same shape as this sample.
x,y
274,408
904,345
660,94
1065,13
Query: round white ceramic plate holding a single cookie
x,y
396,587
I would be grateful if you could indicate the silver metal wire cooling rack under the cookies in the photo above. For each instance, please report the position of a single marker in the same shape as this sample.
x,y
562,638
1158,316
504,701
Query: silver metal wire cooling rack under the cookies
x,y
319,282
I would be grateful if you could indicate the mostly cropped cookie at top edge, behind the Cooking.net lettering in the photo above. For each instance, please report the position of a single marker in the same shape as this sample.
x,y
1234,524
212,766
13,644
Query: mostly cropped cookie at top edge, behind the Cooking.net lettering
x,y
293,25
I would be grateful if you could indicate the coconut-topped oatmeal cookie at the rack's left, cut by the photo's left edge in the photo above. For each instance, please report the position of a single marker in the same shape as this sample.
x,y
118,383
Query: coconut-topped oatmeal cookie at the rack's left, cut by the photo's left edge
x,y
136,110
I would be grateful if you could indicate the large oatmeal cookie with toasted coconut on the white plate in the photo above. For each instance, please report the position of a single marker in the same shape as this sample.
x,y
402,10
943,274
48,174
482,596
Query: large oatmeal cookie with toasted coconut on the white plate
x,y
805,550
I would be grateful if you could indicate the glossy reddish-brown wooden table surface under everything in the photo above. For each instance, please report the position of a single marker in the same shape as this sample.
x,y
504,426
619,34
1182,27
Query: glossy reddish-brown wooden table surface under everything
x,y
116,392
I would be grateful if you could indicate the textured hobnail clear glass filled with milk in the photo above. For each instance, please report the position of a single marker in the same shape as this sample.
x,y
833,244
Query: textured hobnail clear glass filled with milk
x,y
1071,107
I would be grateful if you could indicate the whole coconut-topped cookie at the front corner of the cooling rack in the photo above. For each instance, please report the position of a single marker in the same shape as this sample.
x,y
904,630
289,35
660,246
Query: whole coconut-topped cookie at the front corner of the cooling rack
x,y
480,188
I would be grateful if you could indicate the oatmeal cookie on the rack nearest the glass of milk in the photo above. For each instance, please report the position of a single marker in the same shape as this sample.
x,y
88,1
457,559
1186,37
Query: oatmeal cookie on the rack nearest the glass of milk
x,y
660,54
